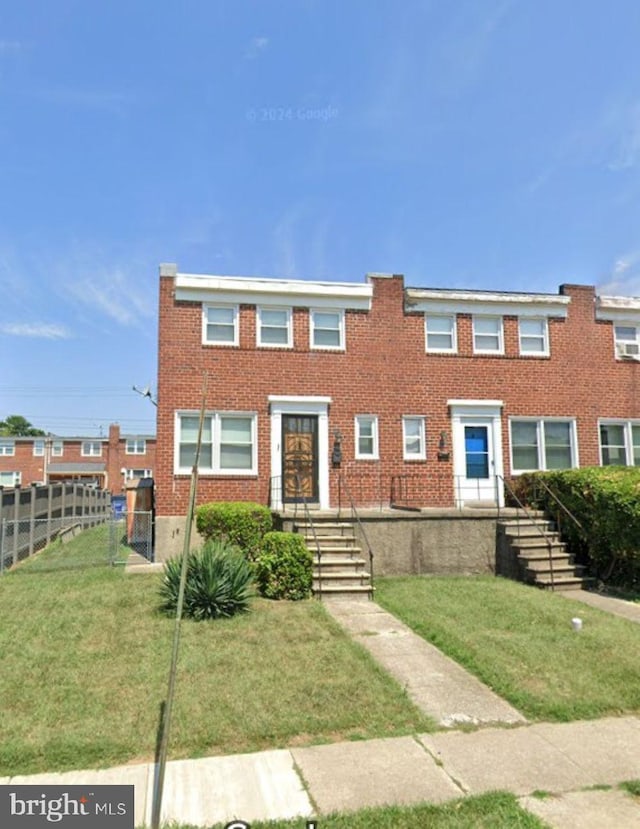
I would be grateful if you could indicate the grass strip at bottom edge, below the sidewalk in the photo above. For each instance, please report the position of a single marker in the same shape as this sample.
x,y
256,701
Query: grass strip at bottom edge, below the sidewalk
x,y
496,810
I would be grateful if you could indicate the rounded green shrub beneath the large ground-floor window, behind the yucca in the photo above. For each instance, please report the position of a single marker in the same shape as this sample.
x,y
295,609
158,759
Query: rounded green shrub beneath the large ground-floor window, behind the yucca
x,y
242,523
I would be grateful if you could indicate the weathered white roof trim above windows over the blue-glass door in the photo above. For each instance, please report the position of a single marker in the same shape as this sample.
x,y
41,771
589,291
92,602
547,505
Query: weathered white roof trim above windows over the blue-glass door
x,y
434,301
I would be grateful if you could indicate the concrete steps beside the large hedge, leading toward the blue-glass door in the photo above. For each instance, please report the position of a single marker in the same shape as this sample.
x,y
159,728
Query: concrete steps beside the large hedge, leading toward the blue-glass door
x,y
542,557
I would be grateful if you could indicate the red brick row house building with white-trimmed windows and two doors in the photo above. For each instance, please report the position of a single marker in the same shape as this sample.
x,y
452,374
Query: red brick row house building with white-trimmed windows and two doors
x,y
438,393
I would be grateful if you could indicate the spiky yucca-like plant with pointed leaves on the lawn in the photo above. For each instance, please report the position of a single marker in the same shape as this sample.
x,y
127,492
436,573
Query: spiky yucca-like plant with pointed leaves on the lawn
x,y
219,582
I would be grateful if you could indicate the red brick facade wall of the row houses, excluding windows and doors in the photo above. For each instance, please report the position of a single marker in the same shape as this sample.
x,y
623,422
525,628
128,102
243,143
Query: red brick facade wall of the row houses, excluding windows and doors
x,y
384,371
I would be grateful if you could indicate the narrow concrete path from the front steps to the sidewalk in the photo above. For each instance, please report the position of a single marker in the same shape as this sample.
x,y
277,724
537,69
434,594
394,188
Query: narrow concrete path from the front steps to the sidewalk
x,y
435,683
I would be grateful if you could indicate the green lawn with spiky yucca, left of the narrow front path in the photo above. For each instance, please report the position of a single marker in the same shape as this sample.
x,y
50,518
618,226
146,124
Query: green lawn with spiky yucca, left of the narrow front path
x,y
85,656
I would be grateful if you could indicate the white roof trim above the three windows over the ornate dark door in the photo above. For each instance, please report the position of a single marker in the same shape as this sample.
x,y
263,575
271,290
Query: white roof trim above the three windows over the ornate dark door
x,y
259,291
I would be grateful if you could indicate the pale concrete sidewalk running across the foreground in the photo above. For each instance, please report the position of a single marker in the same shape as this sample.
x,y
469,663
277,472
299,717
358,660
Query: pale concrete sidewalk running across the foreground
x,y
562,759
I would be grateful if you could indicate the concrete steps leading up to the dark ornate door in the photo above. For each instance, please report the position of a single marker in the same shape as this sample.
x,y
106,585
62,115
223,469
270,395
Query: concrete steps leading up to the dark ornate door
x,y
339,566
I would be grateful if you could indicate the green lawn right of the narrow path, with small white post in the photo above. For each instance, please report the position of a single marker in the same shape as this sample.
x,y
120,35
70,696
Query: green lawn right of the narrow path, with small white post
x,y
519,641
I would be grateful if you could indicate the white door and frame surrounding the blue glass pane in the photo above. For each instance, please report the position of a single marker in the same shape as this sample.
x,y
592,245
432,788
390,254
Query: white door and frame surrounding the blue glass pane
x,y
477,413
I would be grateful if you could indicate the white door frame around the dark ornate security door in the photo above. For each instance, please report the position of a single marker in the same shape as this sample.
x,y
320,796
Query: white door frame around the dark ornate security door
x,y
298,405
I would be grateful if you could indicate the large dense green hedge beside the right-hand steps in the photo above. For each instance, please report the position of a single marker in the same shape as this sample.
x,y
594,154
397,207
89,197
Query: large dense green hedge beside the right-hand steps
x,y
606,502
